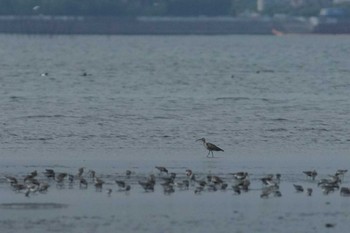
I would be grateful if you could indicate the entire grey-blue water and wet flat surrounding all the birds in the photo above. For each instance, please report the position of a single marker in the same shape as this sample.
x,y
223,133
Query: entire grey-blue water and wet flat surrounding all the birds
x,y
274,104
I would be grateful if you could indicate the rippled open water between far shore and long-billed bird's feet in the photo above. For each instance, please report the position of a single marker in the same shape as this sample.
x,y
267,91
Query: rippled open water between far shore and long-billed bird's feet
x,y
164,92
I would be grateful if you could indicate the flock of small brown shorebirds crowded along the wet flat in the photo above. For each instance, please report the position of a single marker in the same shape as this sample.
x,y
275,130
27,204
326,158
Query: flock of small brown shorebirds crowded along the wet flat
x,y
169,182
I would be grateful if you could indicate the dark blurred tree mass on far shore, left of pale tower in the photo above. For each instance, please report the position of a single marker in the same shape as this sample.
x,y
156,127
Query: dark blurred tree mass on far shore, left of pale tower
x,y
117,7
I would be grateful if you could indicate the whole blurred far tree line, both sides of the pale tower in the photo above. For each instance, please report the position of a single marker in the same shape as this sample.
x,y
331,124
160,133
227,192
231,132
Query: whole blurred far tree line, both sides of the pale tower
x,y
130,8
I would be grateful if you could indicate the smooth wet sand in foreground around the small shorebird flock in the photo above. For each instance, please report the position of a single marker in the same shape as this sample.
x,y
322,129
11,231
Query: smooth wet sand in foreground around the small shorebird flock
x,y
69,208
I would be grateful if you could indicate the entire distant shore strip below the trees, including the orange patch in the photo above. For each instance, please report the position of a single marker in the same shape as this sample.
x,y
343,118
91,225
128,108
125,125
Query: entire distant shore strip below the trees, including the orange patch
x,y
52,25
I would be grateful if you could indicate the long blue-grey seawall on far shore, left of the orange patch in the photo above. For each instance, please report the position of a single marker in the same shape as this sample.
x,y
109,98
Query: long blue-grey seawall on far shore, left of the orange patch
x,y
131,26
